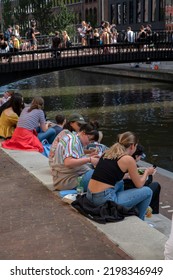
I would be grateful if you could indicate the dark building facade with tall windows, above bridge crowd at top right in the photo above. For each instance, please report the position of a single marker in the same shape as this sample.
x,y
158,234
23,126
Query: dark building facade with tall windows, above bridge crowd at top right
x,y
134,13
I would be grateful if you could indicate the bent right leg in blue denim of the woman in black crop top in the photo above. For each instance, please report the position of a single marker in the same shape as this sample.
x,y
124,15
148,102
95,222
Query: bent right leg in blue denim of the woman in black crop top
x,y
140,198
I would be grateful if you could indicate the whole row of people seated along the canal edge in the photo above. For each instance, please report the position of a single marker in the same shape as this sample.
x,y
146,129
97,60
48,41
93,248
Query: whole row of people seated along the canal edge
x,y
73,155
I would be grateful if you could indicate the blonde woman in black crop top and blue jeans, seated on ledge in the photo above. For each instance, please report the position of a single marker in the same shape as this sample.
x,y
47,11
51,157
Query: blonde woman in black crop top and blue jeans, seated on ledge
x,y
111,169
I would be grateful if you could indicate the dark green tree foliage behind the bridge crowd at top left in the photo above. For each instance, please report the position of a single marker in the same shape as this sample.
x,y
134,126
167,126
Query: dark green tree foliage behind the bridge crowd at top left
x,y
41,11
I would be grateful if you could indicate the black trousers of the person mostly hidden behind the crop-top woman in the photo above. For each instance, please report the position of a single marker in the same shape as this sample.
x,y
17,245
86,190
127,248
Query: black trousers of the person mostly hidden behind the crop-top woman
x,y
154,186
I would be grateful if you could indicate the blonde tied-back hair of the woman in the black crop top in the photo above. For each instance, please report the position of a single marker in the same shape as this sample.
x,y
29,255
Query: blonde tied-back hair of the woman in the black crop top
x,y
124,140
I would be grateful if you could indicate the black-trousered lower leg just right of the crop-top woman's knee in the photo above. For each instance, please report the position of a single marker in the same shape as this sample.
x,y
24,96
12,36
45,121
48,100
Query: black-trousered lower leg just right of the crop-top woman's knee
x,y
155,187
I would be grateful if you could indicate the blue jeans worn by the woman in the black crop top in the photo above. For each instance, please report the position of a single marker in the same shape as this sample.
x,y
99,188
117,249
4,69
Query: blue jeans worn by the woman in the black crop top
x,y
139,197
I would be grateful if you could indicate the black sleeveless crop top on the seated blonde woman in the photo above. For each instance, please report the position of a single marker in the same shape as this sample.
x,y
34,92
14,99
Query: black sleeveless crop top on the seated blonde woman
x,y
107,171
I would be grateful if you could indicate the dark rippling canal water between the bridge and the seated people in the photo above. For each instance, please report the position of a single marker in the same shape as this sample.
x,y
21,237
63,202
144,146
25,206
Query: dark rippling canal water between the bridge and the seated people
x,y
118,103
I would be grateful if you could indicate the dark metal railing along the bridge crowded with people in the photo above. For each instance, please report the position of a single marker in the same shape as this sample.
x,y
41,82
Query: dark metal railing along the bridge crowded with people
x,y
157,47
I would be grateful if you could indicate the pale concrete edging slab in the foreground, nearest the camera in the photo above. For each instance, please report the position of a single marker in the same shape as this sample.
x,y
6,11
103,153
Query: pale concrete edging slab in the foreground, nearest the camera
x,y
136,238
